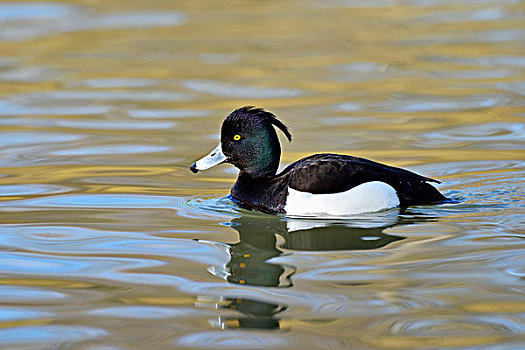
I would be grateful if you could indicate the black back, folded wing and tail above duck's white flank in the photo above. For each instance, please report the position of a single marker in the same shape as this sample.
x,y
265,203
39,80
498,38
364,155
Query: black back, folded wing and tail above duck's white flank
x,y
333,173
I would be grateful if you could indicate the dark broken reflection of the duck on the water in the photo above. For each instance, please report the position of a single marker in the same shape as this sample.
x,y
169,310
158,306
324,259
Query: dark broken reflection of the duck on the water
x,y
262,237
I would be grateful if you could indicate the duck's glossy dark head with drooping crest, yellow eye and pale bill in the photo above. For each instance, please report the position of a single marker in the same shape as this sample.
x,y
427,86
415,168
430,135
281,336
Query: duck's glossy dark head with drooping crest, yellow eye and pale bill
x,y
249,142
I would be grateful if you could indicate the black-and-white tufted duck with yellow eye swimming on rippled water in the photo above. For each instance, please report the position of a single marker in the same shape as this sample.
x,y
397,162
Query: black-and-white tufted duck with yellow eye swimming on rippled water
x,y
317,185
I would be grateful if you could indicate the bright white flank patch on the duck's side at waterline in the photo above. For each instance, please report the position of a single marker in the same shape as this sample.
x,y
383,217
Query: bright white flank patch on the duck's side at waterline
x,y
366,198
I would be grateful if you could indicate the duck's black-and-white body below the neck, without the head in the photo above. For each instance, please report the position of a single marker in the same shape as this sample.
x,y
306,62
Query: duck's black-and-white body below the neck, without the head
x,y
337,178
